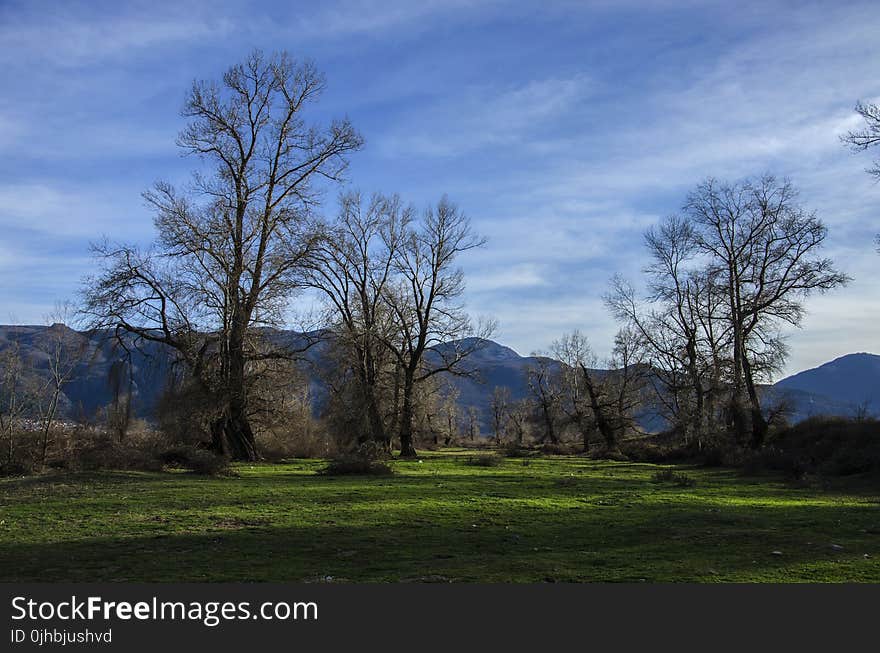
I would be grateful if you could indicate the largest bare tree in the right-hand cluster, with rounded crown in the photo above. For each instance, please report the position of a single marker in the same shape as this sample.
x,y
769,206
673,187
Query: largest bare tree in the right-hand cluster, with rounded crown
x,y
762,247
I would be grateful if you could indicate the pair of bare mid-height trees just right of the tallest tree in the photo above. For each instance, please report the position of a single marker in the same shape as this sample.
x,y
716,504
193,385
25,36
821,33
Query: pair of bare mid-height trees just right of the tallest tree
x,y
390,280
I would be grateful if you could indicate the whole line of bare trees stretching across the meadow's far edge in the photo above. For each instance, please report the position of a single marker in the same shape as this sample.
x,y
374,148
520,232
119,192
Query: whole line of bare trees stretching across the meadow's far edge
x,y
247,236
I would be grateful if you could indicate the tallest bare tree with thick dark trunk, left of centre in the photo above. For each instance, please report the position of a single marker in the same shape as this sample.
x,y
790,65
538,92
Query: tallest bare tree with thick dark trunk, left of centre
x,y
231,248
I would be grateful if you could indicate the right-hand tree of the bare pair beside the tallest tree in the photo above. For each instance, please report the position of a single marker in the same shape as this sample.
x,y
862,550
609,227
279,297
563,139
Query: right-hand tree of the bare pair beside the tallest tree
x,y
428,317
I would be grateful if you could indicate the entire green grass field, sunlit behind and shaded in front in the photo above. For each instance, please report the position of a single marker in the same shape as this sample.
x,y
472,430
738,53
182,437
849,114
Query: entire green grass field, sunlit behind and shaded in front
x,y
548,519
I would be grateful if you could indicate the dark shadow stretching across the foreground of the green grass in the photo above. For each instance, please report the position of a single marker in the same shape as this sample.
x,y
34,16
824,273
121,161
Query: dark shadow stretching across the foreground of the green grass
x,y
679,542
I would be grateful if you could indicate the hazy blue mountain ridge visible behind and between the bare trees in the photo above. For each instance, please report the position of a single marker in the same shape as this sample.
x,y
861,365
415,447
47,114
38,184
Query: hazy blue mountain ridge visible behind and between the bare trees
x,y
840,387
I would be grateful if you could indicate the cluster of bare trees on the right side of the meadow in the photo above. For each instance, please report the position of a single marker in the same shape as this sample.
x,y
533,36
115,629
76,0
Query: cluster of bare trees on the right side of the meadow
x,y
726,276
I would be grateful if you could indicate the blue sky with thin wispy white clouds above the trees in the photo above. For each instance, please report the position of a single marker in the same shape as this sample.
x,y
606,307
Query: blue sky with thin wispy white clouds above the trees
x,y
563,129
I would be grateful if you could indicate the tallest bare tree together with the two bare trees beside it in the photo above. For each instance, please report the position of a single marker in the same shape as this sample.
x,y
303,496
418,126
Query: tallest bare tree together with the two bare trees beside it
x,y
245,236
